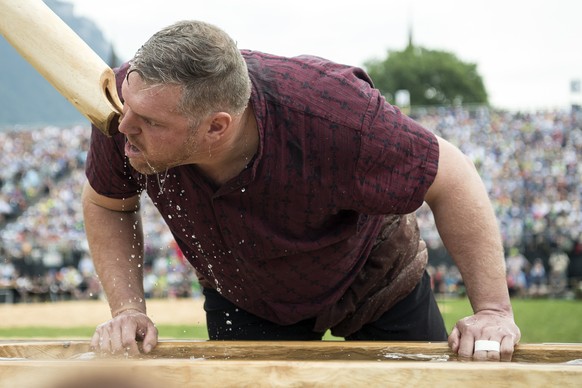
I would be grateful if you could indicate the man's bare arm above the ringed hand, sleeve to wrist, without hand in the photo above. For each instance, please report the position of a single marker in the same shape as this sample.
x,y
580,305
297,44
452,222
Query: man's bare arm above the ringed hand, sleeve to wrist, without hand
x,y
469,230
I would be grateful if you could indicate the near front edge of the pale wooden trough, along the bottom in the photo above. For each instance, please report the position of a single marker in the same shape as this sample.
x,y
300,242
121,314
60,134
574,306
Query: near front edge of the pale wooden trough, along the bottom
x,y
179,373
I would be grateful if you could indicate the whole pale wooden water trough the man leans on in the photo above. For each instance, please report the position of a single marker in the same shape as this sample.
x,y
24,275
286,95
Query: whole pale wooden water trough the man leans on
x,y
68,364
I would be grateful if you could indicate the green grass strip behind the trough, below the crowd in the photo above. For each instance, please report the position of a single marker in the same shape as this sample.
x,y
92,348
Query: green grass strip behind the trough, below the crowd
x,y
540,320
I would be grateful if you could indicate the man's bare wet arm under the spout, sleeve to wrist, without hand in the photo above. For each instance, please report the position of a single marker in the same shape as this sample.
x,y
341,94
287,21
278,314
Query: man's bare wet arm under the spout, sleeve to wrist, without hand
x,y
116,242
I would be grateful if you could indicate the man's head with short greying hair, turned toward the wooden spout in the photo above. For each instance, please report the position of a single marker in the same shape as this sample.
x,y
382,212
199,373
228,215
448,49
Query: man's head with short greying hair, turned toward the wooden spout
x,y
185,92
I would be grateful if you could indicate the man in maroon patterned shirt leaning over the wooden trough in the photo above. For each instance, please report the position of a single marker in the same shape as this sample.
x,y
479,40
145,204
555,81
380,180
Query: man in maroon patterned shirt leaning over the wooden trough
x,y
290,185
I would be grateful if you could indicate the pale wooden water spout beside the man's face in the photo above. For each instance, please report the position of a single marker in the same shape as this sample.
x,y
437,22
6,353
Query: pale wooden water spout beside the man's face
x,y
63,58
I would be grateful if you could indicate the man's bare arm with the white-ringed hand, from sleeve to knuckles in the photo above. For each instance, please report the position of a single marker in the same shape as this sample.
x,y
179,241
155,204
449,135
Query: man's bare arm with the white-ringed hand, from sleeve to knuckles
x,y
467,225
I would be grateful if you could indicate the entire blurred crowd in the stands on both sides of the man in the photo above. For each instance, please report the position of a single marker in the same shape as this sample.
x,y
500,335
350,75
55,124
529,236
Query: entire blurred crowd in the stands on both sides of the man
x,y
530,163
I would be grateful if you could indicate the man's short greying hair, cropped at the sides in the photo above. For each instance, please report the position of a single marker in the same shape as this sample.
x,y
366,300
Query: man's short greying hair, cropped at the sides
x,y
203,60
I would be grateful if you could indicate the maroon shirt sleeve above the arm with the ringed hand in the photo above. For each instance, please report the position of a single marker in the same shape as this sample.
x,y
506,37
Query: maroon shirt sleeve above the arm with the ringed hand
x,y
398,161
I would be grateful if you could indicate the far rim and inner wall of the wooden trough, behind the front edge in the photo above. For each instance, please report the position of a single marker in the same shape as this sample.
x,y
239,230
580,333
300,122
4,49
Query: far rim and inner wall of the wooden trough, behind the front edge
x,y
293,350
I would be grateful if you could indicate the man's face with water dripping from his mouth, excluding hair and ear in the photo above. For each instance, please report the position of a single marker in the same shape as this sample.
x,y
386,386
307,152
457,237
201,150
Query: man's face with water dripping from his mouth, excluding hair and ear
x,y
158,134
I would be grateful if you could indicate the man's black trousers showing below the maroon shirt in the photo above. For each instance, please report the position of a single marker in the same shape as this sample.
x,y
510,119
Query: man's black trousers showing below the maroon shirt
x,y
415,318
